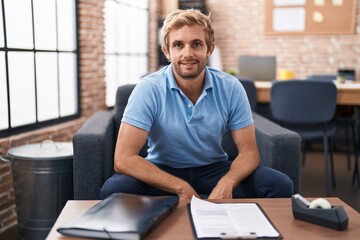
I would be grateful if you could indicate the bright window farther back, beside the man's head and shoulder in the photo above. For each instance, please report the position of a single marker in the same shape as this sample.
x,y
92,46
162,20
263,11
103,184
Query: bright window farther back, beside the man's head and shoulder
x,y
126,43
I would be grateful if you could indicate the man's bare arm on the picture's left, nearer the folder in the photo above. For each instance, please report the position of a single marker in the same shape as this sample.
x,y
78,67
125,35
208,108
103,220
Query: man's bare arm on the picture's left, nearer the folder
x,y
127,161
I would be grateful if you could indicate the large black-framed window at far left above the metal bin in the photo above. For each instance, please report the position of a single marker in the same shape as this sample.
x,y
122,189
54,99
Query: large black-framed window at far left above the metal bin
x,y
38,64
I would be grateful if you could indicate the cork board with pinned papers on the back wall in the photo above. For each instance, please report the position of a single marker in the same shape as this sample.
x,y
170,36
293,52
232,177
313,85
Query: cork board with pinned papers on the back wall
x,y
306,17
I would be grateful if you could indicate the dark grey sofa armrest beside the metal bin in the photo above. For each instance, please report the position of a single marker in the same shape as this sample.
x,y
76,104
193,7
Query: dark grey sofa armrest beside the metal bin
x,y
94,145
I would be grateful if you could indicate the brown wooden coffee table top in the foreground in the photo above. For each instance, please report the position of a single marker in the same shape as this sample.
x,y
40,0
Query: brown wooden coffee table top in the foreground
x,y
177,225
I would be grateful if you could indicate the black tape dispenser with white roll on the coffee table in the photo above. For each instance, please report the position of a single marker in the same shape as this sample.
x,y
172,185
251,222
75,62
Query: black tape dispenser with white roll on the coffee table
x,y
320,213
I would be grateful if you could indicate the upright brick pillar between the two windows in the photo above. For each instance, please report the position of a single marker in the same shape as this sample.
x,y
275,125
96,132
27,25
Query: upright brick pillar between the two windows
x,y
91,49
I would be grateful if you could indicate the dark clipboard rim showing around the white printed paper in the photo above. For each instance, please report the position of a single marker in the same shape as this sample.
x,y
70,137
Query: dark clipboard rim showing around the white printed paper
x,y
188,207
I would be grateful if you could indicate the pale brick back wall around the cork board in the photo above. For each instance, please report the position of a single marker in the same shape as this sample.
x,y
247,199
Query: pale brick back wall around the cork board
x,y
239,28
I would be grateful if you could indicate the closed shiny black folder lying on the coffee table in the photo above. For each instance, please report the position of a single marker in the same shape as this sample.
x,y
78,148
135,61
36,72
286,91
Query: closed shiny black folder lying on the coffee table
x,y
121,216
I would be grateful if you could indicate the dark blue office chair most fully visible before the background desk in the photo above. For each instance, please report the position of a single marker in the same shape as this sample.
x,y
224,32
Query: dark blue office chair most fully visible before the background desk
x,y
308,108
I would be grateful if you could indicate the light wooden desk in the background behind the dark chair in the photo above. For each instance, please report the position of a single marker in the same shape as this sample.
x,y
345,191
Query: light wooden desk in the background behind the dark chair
x,y
347,94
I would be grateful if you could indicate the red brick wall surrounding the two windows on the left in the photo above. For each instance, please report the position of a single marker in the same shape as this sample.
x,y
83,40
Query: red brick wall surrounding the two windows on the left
x,y
92,95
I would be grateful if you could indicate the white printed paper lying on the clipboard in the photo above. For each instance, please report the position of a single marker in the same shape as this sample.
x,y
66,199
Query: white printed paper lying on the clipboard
x,y
230,220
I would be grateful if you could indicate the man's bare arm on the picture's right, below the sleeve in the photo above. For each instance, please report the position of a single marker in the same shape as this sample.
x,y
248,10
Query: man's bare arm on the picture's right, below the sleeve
x,y
245,163
